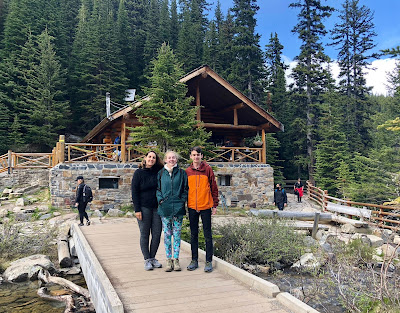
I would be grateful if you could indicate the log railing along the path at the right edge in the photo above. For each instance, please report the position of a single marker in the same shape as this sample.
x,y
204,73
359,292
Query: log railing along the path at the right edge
x,y
383,216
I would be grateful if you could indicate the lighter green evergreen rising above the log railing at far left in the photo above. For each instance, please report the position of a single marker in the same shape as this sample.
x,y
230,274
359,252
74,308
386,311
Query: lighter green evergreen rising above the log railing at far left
x,y
48,111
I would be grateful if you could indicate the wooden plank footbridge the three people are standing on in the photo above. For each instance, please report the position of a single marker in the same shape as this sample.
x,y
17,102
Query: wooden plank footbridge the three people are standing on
x,y
113,266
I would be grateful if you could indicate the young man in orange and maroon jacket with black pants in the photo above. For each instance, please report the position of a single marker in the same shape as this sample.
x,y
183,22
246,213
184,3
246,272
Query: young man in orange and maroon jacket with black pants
x,y
202,201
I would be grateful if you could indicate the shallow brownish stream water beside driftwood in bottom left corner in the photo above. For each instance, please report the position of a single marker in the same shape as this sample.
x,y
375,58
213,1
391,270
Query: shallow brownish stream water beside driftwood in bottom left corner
x,y
23,298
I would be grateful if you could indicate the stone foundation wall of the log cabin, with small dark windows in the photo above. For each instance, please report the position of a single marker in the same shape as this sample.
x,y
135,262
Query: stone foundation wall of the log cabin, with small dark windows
x,y
251,185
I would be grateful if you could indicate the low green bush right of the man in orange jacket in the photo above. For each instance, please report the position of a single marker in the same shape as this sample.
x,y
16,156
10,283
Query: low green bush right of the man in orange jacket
x,y
261,241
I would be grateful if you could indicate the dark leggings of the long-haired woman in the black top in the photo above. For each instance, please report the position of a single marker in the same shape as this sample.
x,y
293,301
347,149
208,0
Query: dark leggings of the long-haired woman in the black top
x,y
150,223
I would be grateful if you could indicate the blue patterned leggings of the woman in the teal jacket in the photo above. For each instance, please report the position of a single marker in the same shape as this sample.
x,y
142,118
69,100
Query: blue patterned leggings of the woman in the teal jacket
x,y
172,227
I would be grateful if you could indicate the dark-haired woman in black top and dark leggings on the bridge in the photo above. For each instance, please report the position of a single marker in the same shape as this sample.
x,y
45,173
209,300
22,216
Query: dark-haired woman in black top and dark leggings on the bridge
x,y
144,188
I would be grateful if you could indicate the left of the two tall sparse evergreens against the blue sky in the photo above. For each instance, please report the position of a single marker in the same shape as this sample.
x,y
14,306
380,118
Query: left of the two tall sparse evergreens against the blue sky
x,y
311,79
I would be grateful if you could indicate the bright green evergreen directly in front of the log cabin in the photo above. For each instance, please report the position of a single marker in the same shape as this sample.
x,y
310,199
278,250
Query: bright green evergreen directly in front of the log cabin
x,y
168,118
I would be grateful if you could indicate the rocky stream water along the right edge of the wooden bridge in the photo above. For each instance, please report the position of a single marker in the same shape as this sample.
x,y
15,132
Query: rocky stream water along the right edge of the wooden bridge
x,y
318,294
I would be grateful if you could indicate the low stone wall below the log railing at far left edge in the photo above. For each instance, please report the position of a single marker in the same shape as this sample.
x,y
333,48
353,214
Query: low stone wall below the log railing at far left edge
x,y
24,177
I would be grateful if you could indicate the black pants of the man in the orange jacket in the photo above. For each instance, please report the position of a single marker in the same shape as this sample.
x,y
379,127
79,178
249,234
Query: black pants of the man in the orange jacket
x,y
194,233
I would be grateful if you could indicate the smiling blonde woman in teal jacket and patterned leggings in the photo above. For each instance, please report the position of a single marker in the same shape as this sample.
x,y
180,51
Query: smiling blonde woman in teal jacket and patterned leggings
x,y
172,194
